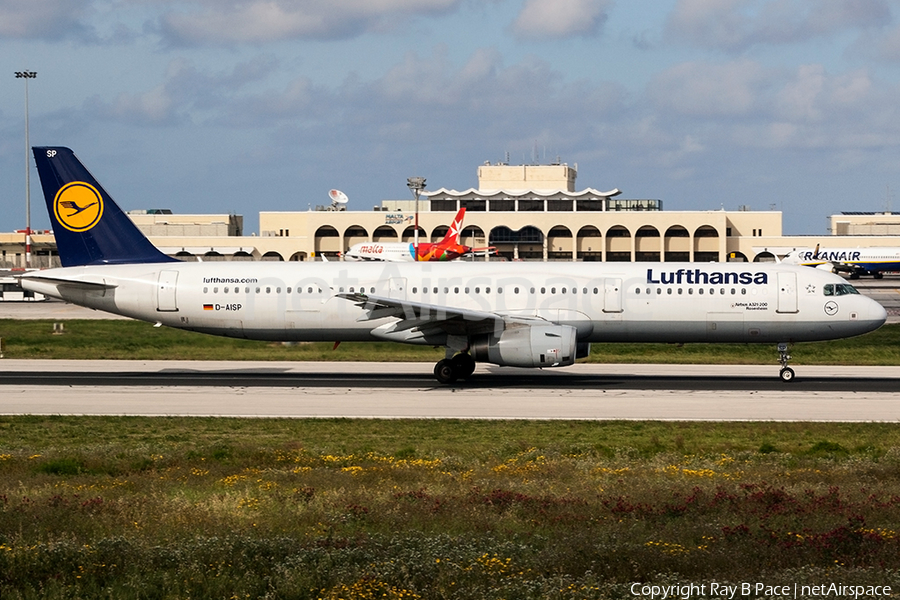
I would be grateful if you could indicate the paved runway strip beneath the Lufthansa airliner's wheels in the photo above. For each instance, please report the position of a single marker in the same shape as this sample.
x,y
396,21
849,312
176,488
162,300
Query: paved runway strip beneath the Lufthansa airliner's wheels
x,y
408,390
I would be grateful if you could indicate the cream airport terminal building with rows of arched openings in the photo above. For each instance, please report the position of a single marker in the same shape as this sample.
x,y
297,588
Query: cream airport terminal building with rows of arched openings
x,y
527,212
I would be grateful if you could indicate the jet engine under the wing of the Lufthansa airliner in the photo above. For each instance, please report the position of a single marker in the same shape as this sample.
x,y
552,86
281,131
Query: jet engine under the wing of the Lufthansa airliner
x,y
528,346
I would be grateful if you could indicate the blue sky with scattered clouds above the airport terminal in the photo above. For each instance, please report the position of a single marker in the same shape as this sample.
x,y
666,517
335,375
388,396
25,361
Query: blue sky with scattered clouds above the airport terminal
x,y
249,105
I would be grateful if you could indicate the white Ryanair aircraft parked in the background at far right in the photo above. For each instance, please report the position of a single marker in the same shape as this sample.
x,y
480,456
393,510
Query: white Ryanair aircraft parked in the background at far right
x,y
854,261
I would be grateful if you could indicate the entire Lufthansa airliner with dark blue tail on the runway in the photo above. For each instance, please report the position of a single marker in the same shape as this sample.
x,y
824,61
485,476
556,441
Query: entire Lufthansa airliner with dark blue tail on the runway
x,y
522,314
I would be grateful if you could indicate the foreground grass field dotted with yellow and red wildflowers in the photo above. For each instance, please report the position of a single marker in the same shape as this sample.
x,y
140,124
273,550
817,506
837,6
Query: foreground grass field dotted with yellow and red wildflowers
x,y
119,507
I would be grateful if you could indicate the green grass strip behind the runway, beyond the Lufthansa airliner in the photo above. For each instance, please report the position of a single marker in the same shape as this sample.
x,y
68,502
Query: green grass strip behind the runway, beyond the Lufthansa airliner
x,y
138,340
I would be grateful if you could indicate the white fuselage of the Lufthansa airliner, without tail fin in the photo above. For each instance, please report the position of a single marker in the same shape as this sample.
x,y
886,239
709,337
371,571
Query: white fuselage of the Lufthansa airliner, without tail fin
x,y
605,302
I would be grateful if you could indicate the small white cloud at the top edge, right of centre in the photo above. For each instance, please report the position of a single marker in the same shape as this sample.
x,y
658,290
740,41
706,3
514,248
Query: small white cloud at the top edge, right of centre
x,y
555,19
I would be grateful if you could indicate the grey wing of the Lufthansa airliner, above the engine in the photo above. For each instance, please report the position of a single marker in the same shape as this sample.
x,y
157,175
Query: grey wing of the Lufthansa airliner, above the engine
x,y
424,317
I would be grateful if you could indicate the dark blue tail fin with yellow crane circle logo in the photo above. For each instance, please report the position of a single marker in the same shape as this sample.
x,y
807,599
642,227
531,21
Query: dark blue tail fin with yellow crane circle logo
x,y
89,227
